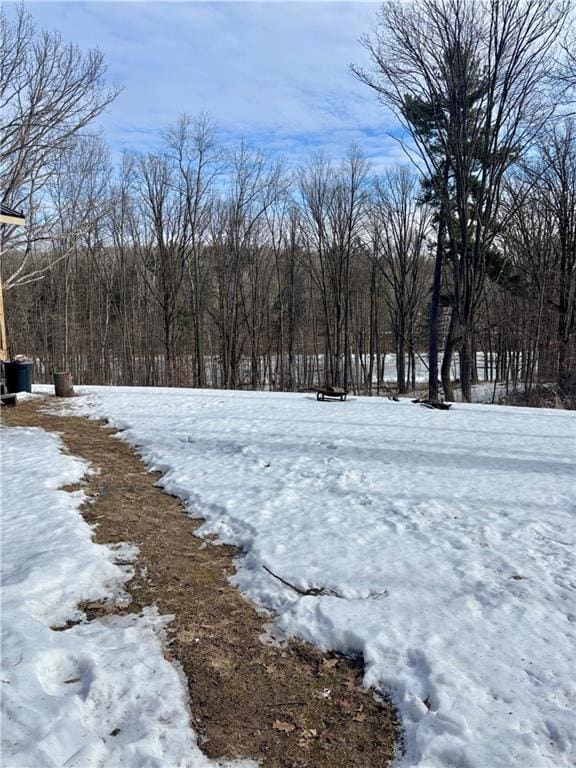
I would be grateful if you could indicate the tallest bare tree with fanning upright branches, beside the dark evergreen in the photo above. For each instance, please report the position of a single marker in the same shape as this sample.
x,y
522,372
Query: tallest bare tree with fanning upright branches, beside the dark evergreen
x,y
478,71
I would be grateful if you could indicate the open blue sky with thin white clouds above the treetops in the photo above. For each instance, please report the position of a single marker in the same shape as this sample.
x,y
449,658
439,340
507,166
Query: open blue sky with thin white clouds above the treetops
x,y
273,72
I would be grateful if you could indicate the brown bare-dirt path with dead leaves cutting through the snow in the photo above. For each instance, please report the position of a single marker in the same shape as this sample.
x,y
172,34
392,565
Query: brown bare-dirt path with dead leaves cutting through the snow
x,y
248,698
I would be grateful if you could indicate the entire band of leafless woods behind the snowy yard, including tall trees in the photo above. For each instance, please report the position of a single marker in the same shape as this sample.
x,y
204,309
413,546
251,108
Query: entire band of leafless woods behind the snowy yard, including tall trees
x,y
210,264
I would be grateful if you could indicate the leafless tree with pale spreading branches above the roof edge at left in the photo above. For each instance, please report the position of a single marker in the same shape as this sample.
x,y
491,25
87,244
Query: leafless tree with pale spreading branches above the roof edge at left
x,y
49,92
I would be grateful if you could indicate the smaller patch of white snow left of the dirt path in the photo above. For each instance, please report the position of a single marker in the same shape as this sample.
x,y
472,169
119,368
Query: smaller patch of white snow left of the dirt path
x,y
97,695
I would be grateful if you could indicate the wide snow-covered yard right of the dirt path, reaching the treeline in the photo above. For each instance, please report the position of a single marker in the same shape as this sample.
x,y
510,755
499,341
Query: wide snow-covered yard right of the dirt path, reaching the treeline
x,y
448,536
